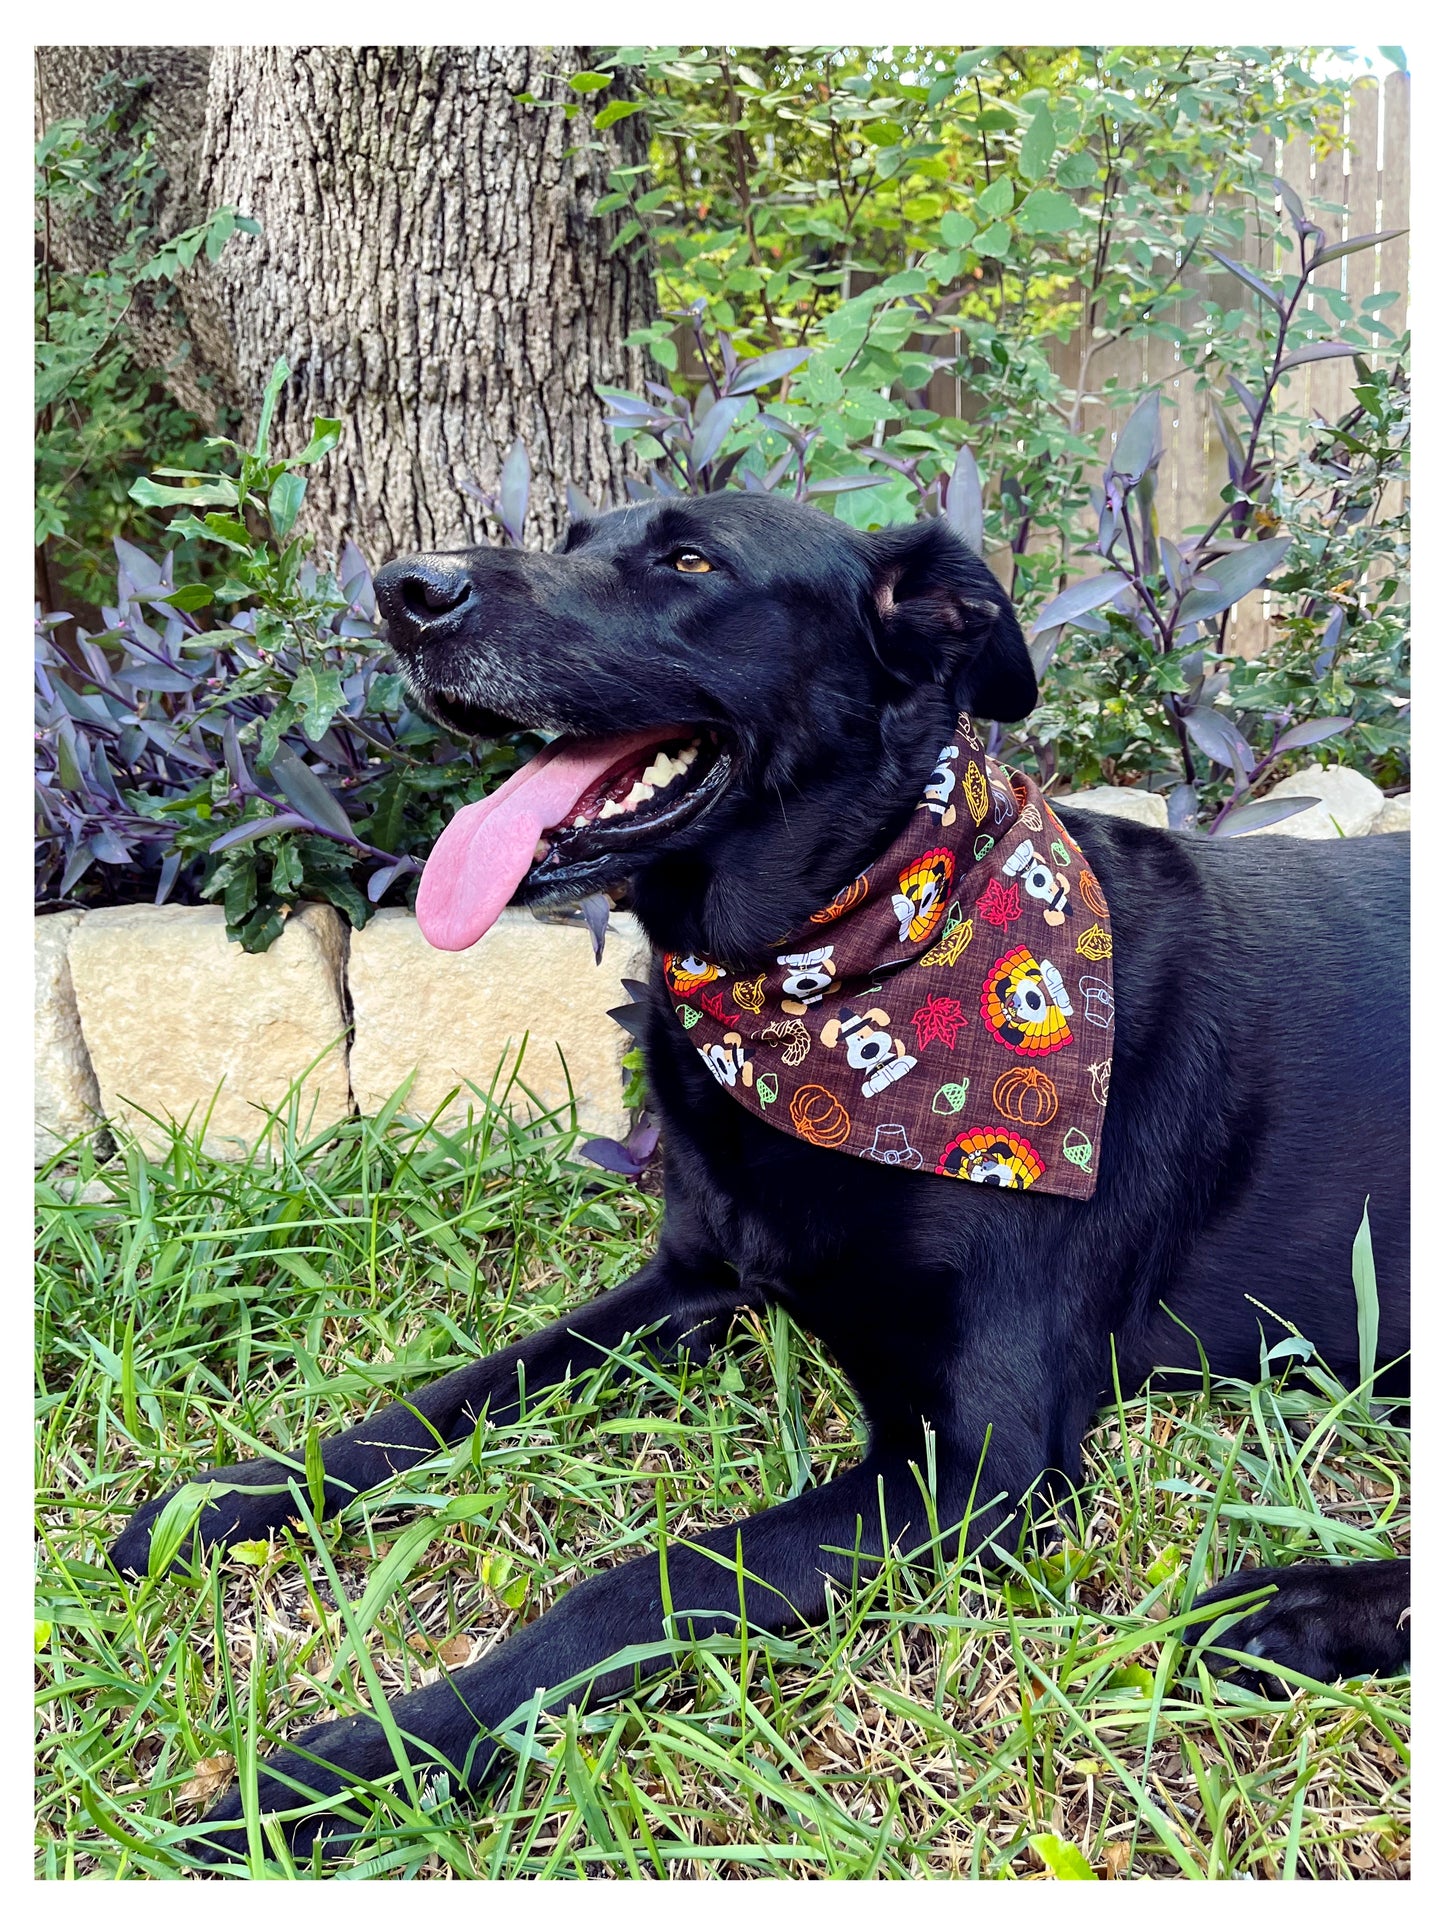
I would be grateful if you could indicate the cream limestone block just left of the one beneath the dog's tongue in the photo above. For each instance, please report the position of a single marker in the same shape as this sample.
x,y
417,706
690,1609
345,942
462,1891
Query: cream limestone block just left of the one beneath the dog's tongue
x,y
182,1022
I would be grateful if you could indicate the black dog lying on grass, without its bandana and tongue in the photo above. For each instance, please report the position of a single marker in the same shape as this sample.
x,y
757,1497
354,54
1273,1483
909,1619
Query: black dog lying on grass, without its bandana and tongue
x,y
1259,1091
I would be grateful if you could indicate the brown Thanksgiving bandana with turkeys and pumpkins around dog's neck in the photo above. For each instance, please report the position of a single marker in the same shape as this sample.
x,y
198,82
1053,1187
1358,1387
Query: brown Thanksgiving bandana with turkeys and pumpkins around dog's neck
x,y
951,1010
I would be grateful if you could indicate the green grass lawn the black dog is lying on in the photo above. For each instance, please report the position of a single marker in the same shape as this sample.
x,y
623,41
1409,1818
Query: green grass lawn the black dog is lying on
x,y
945,1723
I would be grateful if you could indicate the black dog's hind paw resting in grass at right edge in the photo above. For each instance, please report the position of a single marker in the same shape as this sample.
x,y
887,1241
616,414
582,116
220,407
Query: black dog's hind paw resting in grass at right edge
x,y
1325,1623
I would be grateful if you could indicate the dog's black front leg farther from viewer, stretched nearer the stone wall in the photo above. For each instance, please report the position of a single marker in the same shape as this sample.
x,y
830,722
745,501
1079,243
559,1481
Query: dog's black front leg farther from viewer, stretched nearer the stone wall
x,y
687,1299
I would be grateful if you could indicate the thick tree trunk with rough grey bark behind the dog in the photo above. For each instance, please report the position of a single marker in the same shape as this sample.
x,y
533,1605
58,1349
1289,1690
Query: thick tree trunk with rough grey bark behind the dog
x,y
429,265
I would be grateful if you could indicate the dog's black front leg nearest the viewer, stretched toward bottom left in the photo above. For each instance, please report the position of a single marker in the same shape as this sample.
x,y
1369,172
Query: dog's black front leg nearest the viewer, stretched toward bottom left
x,y
787,1553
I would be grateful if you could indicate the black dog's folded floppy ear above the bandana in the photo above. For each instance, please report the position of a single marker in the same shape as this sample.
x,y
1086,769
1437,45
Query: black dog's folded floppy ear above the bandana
x,y
943,617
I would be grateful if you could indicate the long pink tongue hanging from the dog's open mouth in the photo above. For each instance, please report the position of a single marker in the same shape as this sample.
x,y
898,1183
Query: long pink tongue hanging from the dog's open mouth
x,y
485,852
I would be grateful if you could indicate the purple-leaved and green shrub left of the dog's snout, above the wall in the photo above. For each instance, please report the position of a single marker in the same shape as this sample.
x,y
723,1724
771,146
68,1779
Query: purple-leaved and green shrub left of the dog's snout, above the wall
x,y
257,762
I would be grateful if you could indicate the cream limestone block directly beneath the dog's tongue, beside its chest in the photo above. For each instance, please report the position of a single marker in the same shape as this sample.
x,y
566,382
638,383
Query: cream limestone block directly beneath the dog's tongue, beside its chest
x,y
454,1018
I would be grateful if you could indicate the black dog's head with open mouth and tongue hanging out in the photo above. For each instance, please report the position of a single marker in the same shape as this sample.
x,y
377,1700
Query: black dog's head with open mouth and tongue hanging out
x,y
750,698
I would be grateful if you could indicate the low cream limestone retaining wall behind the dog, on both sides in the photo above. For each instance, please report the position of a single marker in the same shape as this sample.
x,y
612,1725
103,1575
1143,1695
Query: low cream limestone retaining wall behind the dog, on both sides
x,y
153,1016
